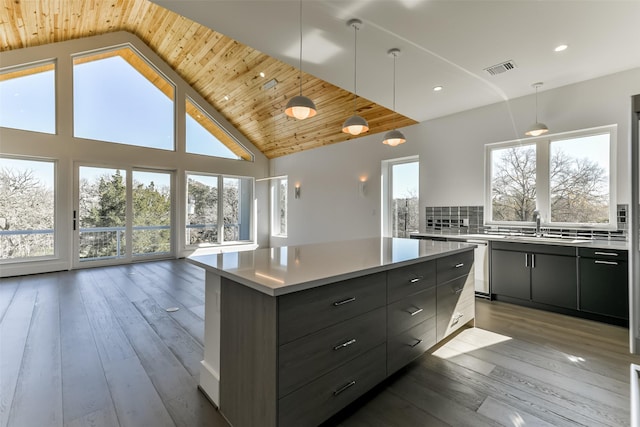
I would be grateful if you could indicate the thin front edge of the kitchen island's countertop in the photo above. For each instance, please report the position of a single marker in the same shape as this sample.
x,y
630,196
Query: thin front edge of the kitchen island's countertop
x,y
295,287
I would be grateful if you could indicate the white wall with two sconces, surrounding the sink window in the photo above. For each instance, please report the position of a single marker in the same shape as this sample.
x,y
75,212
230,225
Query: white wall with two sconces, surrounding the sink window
x,y
451,151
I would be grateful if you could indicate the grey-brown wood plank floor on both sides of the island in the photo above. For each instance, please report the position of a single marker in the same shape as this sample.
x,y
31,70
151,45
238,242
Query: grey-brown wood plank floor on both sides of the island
x,y
97,347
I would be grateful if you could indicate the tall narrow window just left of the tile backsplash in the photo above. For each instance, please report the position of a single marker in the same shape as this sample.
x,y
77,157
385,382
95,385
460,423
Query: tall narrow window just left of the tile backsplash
x,y
400,196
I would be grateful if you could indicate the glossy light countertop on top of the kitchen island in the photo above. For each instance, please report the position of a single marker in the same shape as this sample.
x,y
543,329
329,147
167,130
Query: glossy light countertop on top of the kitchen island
x,y
278,271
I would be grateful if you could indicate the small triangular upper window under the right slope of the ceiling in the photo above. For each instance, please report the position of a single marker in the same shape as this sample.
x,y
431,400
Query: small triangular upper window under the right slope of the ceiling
x,y
204,136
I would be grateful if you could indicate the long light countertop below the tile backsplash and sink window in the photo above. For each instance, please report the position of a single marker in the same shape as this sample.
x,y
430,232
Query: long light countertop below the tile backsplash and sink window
x,y
582,243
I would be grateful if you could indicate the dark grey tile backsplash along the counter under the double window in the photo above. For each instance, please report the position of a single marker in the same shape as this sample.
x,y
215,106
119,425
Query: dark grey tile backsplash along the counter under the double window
x,y
470,220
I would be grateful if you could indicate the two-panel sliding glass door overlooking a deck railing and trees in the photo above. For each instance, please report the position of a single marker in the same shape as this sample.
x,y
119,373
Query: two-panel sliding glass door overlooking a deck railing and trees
x,y
121,214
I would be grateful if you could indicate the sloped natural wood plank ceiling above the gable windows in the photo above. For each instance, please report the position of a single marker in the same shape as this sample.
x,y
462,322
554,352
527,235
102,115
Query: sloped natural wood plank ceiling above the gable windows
x,y
223,71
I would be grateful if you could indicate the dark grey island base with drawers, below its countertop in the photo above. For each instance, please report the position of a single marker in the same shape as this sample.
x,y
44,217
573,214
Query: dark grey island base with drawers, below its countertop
x,y
297,359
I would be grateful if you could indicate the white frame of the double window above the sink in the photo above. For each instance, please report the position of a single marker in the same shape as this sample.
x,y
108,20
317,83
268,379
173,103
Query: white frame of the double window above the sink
x,y
543,178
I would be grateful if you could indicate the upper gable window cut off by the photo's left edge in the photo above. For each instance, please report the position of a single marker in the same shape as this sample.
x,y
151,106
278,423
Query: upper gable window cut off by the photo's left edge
x,y
27,98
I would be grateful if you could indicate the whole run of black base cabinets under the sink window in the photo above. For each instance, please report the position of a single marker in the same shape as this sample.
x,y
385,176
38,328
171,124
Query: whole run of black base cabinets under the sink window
x,y
584,282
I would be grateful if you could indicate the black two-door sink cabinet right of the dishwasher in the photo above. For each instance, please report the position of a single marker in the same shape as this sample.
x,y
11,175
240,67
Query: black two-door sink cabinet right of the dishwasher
x,y
543,274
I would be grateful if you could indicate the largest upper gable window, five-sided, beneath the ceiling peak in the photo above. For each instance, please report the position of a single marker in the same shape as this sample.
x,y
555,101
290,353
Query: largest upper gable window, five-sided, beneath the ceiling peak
x,y
118,97
